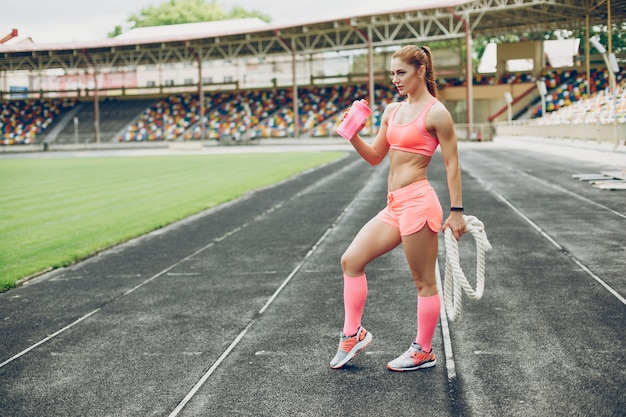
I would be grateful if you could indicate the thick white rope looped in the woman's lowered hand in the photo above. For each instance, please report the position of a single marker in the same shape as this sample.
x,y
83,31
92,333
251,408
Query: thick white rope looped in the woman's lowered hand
x,y
454,278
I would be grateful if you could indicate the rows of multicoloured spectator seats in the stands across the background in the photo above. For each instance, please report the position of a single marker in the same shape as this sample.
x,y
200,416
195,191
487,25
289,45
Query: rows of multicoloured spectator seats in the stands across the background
x,y
232,115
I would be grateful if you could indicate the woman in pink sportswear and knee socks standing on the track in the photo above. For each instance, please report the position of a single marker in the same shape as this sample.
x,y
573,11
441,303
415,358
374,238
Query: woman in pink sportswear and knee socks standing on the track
x,y
409,132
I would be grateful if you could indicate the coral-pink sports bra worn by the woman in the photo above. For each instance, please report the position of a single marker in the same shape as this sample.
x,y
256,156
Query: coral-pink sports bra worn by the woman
x,y
413,136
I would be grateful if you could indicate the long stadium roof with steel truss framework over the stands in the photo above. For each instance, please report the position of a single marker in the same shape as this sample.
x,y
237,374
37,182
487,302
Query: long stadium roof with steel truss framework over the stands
x,y
440,20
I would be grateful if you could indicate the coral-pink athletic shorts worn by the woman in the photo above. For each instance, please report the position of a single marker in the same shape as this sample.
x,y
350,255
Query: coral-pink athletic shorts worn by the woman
x,y
412,206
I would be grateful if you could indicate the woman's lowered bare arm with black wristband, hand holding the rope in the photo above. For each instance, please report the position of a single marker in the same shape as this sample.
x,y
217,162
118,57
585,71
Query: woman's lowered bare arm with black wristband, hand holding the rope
x,y
440,120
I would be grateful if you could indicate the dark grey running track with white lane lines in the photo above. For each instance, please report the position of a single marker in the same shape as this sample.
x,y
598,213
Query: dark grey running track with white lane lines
x,y
236,311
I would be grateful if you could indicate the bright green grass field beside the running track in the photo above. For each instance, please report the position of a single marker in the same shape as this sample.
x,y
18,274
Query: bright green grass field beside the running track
x,y
58,211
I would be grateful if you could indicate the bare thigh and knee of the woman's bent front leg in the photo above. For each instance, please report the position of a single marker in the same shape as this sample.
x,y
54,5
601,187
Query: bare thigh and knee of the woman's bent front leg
x,y
373,240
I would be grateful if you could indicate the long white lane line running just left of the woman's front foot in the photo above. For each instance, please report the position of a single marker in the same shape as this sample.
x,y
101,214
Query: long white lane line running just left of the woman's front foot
x,y
240,336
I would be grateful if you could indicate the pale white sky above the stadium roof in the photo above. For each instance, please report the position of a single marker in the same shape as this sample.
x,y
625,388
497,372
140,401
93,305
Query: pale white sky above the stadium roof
x,y
86,20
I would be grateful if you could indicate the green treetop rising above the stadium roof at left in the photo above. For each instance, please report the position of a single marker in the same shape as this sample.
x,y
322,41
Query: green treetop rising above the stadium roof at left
x,y
173,12
